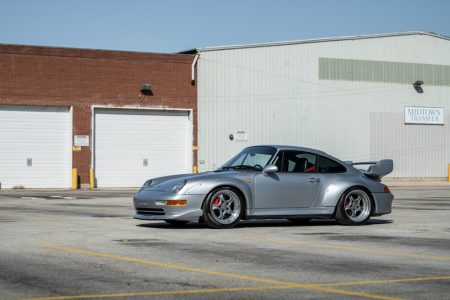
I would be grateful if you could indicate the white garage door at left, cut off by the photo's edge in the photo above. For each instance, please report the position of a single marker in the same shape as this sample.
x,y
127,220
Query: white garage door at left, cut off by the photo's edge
x,y
35,147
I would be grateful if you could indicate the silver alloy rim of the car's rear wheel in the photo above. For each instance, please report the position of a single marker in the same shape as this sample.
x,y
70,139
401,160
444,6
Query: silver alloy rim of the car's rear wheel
x,y
357,205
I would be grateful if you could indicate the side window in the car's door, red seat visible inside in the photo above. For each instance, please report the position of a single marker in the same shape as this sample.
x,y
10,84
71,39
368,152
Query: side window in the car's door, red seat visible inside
x,y
298,162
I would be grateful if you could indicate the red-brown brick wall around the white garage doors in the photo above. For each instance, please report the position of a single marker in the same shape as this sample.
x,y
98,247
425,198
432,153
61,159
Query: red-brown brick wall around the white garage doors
x,y
80,78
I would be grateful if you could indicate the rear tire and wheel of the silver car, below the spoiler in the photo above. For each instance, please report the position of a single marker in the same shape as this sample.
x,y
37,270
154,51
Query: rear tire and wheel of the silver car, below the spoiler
x,y
355,207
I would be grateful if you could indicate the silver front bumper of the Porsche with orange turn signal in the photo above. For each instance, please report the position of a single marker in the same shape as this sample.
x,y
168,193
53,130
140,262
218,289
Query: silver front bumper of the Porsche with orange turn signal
x,y
145,204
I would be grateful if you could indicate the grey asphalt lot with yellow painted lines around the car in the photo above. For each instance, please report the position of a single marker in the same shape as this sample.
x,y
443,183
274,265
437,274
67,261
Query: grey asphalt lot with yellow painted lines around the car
x,y
86,245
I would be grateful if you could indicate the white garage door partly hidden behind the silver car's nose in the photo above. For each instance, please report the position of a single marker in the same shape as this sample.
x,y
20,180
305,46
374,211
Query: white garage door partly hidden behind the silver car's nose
x,y
132,146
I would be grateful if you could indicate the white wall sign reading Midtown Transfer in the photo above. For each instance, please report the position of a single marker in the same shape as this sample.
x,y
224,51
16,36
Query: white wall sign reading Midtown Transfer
x,y
424,115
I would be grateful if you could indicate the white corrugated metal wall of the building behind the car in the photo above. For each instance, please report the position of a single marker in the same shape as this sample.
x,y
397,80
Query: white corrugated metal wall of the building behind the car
x,y
274,94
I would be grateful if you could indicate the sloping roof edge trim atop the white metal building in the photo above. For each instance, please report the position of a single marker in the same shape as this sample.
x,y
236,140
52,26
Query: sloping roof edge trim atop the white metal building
x,y
319,40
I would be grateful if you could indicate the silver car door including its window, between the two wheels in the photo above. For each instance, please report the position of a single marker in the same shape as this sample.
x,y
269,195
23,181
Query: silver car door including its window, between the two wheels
x,y
295,185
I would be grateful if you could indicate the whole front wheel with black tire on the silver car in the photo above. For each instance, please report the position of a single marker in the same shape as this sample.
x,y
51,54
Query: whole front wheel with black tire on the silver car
x,y
223,208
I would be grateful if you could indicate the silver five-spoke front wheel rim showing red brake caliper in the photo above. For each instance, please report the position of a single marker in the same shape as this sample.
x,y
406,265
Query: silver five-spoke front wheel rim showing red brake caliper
x,y
225,207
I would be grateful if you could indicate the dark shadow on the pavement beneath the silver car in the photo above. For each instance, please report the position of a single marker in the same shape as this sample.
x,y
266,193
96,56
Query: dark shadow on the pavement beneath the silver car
x,y
257,223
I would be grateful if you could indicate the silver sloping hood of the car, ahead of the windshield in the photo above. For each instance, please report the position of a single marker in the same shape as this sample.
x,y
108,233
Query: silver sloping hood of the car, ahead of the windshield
x,y
166,183
